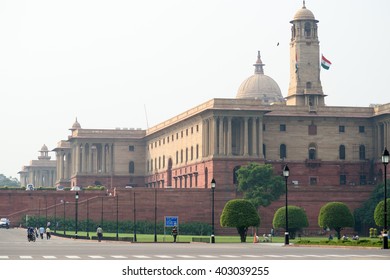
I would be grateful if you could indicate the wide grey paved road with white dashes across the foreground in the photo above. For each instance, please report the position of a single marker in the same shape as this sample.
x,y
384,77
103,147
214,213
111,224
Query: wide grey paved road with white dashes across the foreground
x,y
14,246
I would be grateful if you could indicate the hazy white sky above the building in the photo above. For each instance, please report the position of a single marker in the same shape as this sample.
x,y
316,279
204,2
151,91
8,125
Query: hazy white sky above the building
x,y
137,63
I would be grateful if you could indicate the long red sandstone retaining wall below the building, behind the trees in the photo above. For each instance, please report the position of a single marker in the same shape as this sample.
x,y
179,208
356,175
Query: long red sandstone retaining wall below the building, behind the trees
x,y
188,204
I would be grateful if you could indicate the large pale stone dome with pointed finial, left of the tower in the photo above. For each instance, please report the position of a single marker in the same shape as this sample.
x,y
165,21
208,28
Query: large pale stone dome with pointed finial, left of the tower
x,y
260,86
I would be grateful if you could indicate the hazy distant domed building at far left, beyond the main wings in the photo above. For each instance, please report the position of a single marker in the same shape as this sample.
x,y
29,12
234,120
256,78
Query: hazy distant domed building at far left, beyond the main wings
x,y
41,172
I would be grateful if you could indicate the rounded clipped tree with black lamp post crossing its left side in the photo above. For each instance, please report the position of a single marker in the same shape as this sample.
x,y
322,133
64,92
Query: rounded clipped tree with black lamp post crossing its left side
x,y
297,219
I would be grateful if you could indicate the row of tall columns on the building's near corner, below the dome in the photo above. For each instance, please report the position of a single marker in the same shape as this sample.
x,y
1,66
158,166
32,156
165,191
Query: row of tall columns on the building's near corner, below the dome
x,y
229,136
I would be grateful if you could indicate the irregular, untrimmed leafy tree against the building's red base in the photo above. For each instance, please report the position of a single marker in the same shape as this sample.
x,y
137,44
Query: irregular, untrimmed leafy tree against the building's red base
x,y
259,184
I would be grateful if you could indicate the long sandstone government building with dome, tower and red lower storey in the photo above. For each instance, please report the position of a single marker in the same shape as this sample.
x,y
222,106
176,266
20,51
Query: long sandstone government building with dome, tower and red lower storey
x,y
329,149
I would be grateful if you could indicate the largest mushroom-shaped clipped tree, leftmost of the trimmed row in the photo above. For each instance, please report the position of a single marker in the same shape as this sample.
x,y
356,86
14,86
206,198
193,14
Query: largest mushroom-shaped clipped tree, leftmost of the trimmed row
x,y
241,214
